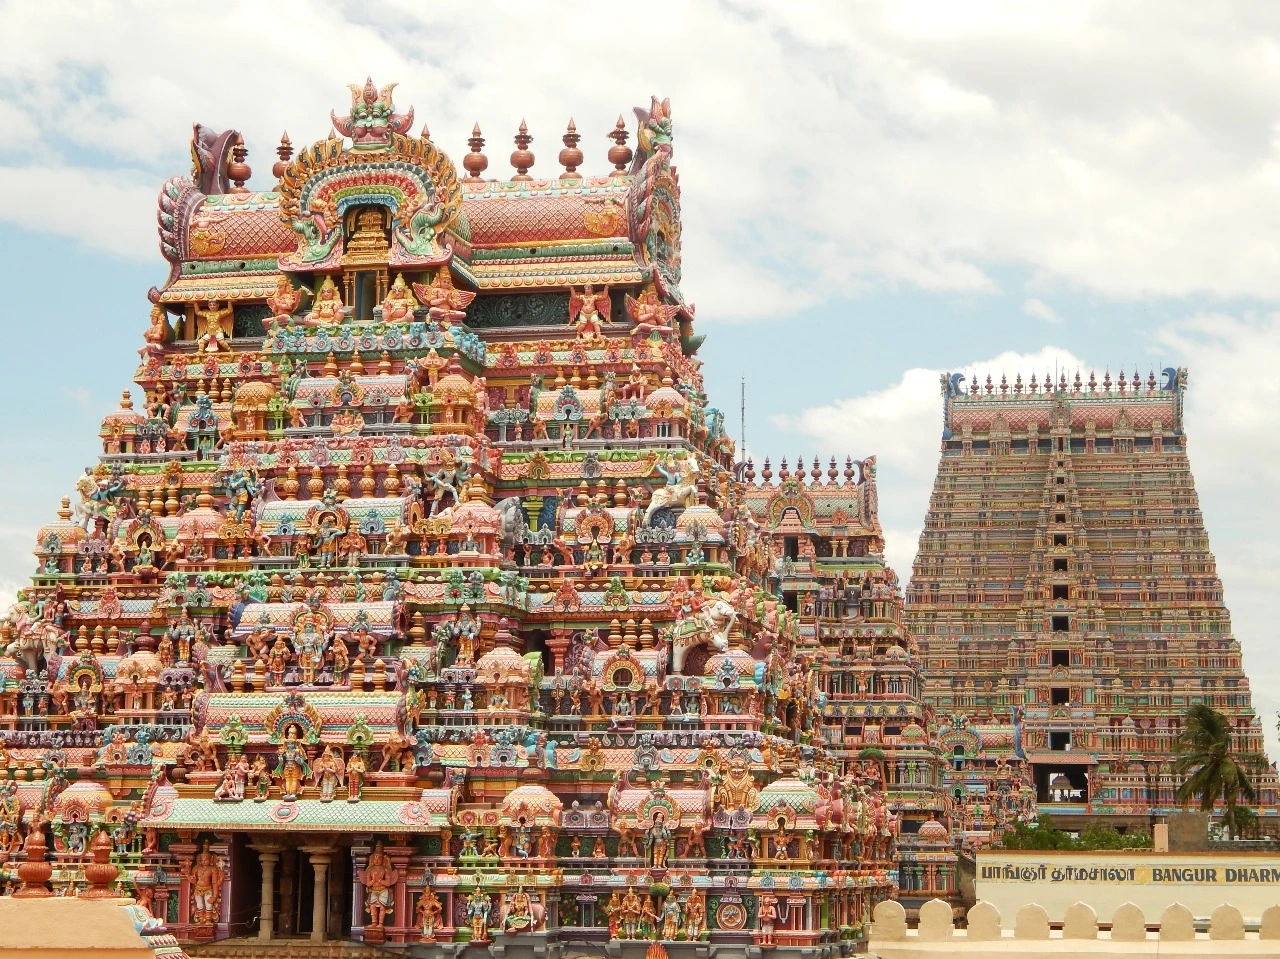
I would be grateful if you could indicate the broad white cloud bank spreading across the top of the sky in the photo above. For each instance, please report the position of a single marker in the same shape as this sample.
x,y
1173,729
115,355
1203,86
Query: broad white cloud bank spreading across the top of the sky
x,y
825,149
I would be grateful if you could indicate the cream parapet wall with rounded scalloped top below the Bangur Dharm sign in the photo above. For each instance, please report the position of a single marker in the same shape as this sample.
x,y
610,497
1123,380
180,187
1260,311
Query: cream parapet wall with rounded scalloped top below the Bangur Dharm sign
x,y
1131,933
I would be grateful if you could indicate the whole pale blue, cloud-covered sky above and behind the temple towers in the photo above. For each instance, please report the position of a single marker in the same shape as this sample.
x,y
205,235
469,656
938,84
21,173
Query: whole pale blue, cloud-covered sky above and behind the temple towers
x,y
872,194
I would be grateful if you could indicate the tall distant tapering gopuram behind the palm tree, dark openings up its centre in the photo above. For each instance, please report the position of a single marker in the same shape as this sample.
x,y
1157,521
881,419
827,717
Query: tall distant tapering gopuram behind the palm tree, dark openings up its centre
x,y
1067,602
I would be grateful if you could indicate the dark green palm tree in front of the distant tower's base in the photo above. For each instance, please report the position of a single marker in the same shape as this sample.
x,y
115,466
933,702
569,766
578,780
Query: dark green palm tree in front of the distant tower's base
x,y
1218,771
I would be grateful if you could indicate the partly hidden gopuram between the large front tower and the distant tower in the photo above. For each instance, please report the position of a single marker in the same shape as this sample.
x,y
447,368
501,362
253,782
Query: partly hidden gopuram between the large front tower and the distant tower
x,y
828,565
